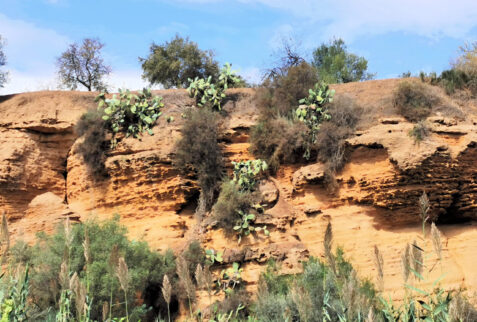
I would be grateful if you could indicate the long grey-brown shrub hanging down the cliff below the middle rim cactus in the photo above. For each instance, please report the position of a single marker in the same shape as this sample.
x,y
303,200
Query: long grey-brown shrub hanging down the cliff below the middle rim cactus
x,y
199,149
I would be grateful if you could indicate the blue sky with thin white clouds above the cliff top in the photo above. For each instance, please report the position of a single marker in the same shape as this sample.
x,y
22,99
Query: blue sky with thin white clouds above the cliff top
x,y
395,36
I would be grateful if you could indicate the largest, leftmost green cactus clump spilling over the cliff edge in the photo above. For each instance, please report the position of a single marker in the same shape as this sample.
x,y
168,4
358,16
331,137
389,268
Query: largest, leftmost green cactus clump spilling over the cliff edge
x,y
130,113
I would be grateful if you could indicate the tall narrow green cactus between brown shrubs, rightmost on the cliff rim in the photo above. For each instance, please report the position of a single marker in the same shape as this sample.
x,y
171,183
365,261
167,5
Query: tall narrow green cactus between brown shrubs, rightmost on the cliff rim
x,y
313,111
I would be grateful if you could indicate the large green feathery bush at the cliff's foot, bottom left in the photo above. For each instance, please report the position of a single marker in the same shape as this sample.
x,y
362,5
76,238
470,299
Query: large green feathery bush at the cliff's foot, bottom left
x,y
146,268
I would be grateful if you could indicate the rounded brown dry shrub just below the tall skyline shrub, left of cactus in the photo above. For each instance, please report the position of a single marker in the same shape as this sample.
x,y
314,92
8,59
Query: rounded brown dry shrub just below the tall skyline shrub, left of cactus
x,y
278,140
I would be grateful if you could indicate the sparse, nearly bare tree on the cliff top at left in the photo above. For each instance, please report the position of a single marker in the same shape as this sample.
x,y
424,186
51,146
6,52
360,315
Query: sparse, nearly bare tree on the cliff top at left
x,y
82,64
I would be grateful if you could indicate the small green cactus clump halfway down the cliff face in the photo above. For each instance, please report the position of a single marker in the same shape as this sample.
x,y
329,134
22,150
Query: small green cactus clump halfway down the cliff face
x,y
246,172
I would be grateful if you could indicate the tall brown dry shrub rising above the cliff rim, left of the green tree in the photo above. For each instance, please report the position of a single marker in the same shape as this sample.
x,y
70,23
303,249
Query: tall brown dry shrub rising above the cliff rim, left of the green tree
x,y
280,94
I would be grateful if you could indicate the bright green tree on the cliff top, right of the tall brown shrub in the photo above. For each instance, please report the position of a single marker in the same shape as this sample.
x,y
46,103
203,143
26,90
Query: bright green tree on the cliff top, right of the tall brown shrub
x,y
336,65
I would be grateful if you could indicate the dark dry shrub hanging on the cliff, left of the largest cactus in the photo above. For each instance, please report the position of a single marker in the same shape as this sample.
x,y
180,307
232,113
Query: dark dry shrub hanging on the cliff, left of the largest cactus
x,y
94,146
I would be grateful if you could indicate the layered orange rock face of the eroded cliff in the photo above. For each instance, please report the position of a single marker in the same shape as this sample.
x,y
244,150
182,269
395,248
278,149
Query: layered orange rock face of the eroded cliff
x,y
43,179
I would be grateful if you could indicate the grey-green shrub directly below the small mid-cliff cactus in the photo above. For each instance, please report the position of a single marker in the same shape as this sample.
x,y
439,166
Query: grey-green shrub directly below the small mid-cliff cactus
x,y
230,201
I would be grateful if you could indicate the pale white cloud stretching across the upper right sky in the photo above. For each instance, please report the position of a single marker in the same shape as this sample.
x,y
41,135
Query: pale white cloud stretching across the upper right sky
x,y
351,18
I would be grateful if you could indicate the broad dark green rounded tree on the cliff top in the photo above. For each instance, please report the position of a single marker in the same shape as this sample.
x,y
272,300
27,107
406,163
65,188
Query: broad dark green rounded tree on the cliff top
x,y
174,62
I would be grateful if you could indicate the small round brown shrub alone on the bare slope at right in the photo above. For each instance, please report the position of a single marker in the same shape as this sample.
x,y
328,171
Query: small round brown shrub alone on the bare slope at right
x,y
414,100
